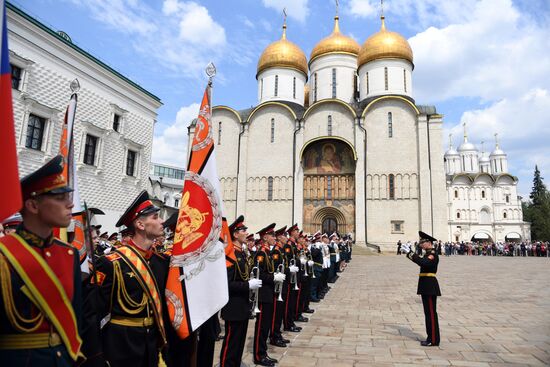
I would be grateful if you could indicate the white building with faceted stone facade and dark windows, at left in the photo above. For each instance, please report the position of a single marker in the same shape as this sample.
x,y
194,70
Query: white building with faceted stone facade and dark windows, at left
x,y
114,122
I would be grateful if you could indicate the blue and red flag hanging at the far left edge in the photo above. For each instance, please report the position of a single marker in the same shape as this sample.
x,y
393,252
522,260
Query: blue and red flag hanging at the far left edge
x,y
10,189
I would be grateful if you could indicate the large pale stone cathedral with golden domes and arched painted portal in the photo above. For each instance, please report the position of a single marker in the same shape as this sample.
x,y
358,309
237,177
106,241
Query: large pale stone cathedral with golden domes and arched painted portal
x,y
336,142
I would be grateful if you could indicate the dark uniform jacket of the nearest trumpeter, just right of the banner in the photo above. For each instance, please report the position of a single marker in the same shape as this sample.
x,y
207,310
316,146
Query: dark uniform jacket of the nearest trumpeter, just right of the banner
x,y
238,306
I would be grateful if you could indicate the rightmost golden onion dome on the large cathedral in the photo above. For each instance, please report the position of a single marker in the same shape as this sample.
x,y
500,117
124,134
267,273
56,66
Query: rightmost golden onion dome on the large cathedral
x,y
385,44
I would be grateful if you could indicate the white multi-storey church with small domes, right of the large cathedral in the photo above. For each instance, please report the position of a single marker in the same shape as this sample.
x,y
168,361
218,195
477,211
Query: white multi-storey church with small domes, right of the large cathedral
x,y
482,196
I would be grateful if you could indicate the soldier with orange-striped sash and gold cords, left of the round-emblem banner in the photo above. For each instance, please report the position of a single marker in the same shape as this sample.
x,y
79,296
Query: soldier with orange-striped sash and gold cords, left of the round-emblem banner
x,y
131,280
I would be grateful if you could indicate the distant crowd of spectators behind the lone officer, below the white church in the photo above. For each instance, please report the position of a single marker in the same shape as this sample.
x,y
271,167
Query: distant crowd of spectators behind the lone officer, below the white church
x,y
525,249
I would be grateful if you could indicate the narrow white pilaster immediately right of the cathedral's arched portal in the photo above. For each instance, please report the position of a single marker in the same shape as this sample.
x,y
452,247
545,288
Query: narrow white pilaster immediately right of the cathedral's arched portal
x,y
360,182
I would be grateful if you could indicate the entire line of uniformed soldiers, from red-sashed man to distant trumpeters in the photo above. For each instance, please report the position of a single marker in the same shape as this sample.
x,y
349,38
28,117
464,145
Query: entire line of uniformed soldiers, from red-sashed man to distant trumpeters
x,y
54,311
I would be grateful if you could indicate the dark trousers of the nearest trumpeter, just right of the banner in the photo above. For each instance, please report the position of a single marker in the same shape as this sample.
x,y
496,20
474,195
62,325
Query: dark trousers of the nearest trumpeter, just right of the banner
x,y
233,343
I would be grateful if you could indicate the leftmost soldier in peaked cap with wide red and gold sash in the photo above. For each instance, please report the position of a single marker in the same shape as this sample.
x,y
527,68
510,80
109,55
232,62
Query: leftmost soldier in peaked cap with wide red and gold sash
x,y
40,305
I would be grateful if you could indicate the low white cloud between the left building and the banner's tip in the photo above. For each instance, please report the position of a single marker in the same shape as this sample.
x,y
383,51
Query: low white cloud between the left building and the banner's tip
x,y
171,146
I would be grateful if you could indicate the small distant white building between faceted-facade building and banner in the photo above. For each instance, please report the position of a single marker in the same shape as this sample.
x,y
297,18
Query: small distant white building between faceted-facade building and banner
x,y
166,183
